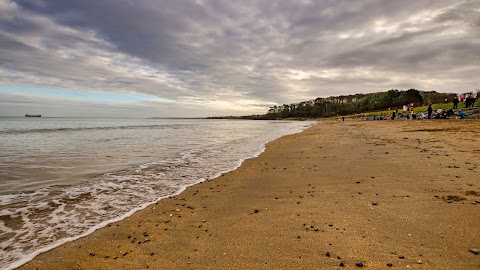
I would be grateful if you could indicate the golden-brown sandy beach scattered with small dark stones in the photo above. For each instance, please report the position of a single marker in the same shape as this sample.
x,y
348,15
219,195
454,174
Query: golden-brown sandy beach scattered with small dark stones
x,y
378,193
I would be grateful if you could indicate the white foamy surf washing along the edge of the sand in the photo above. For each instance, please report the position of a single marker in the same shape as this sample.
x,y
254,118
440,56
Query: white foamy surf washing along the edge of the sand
x,y
79,210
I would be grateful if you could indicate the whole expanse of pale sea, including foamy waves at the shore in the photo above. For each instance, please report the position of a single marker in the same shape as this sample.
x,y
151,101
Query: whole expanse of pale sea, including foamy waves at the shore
x,y
63,178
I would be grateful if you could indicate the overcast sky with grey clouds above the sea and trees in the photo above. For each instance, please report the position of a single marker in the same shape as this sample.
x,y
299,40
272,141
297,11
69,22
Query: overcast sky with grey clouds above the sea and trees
x,y
143,58
